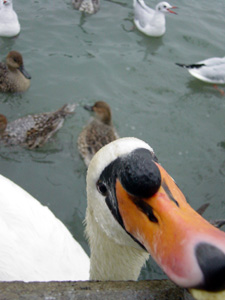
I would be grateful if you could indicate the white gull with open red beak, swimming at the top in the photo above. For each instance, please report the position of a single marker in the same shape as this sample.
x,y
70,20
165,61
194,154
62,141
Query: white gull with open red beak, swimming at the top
x,y
151,22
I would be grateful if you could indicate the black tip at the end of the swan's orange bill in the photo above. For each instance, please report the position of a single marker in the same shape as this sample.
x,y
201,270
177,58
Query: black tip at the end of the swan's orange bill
x,y
212,263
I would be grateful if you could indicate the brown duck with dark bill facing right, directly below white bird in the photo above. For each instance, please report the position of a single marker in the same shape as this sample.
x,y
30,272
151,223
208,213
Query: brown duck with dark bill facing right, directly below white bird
x,y
13,75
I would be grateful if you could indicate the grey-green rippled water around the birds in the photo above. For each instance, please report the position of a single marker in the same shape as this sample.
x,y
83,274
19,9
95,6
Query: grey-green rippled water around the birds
x,y
77,58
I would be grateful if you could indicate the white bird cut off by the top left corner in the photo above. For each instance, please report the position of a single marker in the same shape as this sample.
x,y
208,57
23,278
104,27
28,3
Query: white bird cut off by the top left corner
x,y
9,23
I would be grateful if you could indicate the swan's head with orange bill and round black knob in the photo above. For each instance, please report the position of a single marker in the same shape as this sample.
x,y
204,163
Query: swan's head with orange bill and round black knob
x,y
137,204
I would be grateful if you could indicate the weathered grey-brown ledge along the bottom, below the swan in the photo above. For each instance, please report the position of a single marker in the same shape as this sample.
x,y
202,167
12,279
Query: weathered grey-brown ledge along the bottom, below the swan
x,y
148,290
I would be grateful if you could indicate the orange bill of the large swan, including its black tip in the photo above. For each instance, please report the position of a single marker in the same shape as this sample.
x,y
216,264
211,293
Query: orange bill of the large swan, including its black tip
x,y
189,249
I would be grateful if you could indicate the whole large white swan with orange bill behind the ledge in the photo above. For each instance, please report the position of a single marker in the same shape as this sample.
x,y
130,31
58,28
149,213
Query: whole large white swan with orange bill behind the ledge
x,y
134,208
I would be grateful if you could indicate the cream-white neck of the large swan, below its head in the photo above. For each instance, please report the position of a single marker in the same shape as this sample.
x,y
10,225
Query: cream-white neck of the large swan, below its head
x,y
109,260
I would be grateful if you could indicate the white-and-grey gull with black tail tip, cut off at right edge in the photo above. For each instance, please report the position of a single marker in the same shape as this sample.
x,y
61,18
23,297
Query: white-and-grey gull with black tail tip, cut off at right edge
x,y
211,70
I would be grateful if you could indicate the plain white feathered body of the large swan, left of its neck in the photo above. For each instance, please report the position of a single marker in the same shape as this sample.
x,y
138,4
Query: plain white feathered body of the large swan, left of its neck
x,y
35,245
